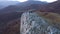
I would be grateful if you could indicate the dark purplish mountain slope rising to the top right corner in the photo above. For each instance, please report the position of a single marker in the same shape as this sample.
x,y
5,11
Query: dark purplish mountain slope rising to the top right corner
x,y
53,7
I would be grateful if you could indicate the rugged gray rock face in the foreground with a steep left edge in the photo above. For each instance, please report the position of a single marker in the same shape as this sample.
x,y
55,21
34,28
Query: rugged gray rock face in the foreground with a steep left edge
x,y
32,23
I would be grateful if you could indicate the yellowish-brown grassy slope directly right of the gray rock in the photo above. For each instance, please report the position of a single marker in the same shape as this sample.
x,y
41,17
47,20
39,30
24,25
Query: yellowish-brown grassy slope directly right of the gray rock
x,y
52,18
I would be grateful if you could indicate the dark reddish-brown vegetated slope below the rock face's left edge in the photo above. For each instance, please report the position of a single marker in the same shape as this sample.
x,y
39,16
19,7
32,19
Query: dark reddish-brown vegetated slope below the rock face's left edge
x,y
13,27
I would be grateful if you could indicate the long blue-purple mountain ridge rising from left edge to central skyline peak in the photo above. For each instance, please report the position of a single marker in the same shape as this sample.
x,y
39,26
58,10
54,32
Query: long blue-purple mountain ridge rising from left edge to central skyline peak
x,y
23,6
